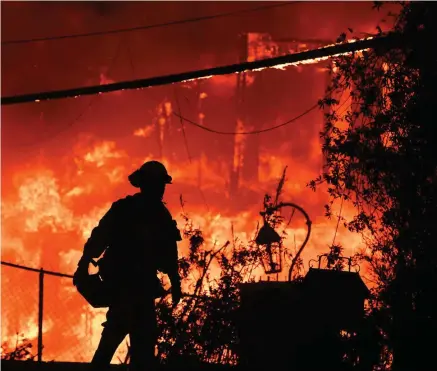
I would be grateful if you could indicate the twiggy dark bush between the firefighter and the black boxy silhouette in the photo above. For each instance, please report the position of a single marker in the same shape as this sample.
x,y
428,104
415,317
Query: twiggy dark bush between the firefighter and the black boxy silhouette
x,y
202,327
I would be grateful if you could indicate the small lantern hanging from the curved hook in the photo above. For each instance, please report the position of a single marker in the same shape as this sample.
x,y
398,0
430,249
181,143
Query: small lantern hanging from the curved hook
x,y
270,245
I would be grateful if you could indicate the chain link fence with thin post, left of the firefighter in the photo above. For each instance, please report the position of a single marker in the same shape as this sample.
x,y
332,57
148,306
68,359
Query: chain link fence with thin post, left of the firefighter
x,y
43,308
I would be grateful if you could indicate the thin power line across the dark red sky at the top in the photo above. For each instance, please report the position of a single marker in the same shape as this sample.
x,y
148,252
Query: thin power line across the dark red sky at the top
x,y
151,26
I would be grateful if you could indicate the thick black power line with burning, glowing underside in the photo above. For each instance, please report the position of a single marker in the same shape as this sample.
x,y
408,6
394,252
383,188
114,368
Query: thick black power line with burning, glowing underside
x,y
278,62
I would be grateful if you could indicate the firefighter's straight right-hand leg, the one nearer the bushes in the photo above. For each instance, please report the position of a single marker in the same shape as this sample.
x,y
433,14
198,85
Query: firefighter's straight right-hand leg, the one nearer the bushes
x,y
143,336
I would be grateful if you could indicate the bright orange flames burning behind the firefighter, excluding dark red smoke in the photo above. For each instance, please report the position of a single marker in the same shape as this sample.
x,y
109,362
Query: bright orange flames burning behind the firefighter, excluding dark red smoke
x,y
48,215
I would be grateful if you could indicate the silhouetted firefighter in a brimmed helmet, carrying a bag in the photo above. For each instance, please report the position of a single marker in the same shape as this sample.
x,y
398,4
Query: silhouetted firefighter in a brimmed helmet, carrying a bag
x,y
138,237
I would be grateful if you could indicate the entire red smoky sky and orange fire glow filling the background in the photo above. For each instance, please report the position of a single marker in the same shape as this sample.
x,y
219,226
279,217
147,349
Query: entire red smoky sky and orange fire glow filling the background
x,y
64,162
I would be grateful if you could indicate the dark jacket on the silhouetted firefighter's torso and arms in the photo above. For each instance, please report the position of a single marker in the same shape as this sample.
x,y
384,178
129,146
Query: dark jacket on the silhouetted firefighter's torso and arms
x,y
139,238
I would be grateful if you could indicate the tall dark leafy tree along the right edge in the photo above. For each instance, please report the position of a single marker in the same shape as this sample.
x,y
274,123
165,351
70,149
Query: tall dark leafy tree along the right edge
x,y
381,156
